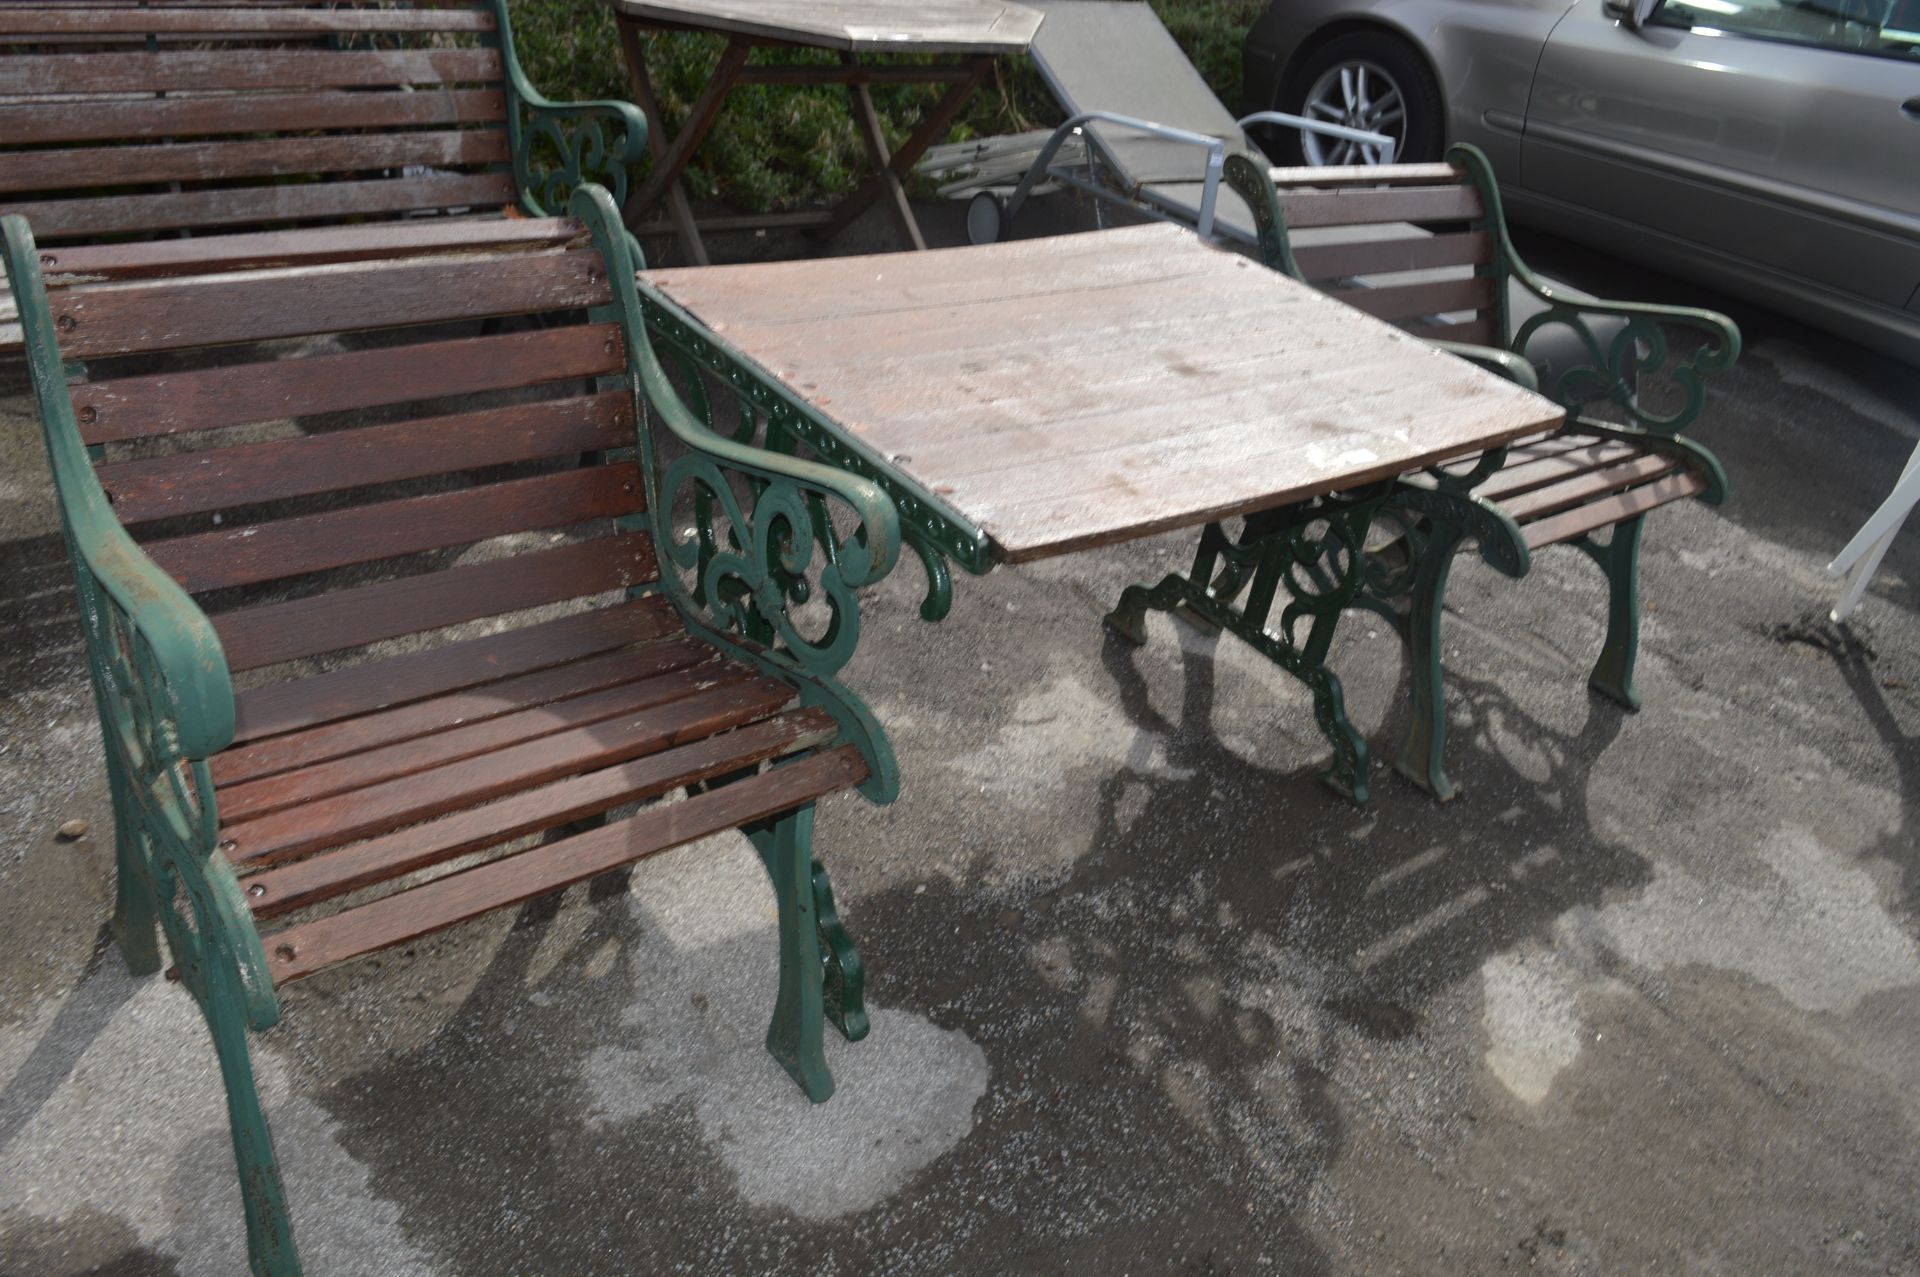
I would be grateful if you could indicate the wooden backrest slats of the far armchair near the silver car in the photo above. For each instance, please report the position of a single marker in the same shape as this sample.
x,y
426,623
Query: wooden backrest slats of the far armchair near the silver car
x,y
1403,220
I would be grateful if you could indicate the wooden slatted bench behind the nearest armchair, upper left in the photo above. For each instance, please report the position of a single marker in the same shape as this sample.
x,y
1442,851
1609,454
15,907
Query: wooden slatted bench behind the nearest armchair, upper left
x,y
185,135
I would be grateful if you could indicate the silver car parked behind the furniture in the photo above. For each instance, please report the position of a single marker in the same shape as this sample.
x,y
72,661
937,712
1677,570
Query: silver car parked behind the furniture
x,y
1765,147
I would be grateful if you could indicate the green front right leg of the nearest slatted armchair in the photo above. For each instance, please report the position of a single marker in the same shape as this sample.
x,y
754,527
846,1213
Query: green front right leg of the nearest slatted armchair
x,y
800,1011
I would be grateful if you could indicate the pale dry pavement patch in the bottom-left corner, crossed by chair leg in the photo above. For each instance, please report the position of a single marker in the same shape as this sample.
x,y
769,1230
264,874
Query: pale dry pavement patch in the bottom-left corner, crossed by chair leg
x,y
122,1117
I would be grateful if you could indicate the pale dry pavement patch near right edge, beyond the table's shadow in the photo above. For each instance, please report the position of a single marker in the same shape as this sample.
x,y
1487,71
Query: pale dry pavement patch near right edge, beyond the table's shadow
x,y
1812,927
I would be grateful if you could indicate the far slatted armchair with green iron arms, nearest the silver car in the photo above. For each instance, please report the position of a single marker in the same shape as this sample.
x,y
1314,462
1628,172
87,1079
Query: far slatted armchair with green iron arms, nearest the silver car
x,y
1426,247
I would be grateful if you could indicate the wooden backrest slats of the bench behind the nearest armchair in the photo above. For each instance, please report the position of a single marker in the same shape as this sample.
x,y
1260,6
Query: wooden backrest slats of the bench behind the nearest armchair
x,y
181,116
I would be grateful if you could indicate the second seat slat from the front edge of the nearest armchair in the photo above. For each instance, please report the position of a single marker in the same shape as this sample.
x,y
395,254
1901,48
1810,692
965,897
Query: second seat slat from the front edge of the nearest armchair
x,y
477,829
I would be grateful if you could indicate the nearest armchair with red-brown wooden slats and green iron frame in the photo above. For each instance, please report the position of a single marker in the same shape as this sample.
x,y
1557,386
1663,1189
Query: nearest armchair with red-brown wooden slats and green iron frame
x,y
370,683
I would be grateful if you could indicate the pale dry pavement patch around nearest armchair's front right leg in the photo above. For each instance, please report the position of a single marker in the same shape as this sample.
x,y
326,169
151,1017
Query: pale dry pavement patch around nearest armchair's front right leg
x,y
903,1099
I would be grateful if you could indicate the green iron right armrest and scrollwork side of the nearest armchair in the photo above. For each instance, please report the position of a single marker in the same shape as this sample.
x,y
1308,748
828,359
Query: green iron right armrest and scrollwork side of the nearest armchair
x,y
763,541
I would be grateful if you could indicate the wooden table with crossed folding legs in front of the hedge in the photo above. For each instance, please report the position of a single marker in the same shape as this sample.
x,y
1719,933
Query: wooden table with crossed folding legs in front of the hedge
x,y
963,36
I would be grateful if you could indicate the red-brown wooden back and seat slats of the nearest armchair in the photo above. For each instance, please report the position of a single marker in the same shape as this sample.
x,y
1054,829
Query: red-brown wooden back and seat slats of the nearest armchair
x,y
372,773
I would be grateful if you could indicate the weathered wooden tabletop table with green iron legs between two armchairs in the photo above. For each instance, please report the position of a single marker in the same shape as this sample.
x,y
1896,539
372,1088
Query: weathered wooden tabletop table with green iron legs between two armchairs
x,y
1045,397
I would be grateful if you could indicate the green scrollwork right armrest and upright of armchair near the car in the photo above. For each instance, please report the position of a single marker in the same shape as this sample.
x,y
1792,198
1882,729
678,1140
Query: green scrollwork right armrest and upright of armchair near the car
x,y
1614,370
